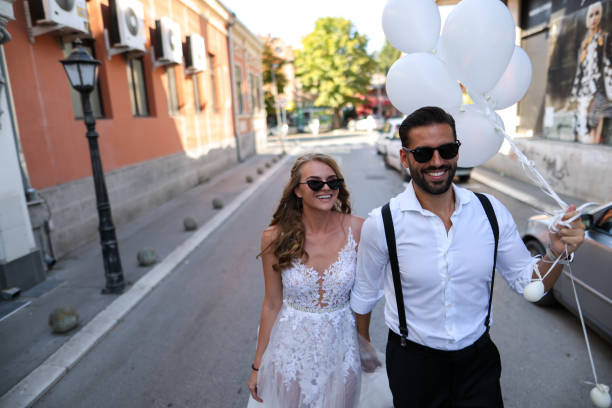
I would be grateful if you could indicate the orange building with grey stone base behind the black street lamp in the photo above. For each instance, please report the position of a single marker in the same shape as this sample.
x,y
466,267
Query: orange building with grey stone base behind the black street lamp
x,y
167,106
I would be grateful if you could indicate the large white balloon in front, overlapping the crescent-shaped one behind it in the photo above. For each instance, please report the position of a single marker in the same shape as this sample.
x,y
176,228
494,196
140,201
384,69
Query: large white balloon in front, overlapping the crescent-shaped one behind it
x,y
478,39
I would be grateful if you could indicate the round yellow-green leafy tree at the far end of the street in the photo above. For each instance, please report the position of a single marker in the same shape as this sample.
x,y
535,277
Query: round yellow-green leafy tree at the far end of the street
x,y
334,64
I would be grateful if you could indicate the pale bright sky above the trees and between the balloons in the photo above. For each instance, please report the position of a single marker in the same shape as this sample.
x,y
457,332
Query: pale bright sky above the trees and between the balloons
x,y
293,19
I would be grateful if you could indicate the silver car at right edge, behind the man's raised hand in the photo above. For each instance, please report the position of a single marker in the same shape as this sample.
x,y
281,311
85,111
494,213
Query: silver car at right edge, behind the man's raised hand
x,y
592,268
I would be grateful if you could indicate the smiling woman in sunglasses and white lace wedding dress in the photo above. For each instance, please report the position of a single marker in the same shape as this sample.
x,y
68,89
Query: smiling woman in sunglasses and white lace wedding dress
x,y
308,352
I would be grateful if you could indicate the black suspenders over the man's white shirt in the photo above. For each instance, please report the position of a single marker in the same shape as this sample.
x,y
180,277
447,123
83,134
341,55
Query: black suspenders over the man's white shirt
x,y
391,246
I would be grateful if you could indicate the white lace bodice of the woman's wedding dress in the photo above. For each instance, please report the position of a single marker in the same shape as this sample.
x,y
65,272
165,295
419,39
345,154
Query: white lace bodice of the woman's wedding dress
x,y
304,287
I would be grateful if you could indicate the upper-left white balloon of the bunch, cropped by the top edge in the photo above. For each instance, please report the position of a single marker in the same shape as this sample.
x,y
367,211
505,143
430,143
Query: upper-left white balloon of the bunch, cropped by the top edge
x,y
411,25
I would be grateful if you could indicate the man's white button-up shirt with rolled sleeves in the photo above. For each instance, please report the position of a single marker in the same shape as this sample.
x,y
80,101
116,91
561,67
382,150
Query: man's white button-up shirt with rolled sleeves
x,y
445,277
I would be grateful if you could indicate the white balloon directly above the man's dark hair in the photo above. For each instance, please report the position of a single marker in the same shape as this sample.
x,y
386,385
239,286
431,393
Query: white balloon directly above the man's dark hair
x,y
421,79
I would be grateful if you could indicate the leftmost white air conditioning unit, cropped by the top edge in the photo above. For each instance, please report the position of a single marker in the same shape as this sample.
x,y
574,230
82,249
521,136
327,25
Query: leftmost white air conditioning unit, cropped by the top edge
x,y
71,14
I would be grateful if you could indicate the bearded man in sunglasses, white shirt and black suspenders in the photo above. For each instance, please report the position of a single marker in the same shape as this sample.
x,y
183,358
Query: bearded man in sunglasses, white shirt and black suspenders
x,y
445,250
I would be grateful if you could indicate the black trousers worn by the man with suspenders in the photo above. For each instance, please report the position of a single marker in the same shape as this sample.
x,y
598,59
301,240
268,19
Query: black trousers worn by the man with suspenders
x,y
422,377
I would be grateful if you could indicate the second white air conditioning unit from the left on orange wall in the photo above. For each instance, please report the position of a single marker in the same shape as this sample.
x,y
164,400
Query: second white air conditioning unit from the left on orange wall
x,y
128,28
